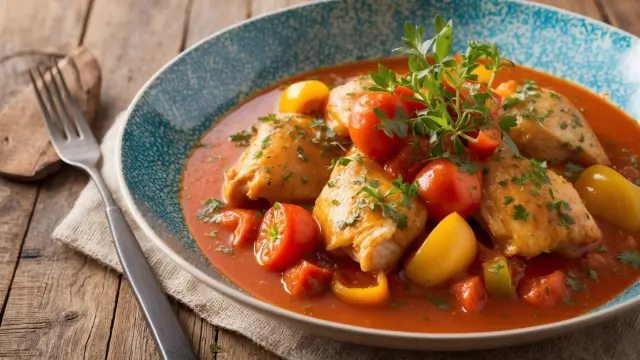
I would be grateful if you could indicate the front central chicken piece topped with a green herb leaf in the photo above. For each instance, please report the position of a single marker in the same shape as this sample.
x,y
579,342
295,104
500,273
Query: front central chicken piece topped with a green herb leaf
x,y
350,225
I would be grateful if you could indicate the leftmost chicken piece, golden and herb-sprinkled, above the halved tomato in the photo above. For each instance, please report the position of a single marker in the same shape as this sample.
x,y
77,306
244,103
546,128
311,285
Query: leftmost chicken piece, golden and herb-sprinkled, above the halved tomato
x,y
288,160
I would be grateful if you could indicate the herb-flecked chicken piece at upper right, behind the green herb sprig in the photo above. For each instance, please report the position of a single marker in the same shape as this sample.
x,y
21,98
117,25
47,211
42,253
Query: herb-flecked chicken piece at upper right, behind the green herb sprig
x,y
549,127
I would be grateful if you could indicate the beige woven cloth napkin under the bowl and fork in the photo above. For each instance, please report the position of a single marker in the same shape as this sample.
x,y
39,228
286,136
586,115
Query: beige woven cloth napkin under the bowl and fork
x,y
86,230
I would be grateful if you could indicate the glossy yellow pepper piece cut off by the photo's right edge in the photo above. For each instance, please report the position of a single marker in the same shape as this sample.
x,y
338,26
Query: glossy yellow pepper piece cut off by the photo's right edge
x,y
610,196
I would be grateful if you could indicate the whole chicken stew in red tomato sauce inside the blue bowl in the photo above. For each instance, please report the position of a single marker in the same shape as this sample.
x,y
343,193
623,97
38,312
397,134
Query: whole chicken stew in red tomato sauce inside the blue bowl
x,y
434,193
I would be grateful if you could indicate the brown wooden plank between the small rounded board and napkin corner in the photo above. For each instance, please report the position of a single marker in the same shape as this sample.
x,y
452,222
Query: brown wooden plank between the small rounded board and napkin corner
x,y
61,303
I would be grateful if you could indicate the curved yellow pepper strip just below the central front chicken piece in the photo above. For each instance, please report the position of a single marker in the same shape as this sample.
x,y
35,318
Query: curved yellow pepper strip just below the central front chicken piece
x,y
370,296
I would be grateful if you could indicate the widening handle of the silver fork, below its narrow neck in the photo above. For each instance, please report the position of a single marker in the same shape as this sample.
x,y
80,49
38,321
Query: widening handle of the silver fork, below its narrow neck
x,y
167,333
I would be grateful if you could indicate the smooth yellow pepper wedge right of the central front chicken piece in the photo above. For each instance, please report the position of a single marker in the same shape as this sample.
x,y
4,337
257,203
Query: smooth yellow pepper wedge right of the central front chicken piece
x,y
449,250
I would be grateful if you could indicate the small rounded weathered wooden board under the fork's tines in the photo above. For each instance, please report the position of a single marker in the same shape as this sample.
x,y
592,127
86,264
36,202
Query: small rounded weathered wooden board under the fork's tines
x,y
25,151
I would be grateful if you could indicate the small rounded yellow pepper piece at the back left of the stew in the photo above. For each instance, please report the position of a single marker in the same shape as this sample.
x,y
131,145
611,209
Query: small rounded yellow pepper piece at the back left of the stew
x,y
304,97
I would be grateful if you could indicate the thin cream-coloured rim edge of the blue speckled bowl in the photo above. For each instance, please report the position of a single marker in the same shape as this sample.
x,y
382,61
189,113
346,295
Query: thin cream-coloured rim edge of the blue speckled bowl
x,y
581,321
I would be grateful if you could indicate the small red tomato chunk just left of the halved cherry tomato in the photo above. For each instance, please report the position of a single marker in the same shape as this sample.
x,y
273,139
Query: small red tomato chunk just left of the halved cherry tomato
x,y
244,223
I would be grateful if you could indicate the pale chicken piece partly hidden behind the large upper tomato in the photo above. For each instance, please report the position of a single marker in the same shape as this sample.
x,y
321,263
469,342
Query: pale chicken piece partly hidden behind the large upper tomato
x,y
341,99
